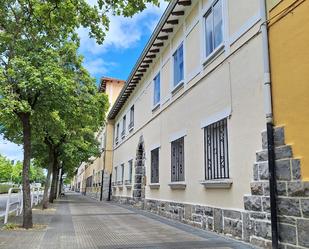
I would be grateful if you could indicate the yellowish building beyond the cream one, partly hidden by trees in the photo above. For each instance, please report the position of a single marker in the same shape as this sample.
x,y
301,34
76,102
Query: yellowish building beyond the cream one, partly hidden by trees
x,y
93,177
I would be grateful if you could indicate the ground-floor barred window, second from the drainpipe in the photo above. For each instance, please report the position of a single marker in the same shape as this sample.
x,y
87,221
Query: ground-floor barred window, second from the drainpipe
x,y
177,160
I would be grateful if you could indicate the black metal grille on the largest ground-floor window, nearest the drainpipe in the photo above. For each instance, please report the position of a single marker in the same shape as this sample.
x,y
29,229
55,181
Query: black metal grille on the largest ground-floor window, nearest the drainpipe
x,y
216,150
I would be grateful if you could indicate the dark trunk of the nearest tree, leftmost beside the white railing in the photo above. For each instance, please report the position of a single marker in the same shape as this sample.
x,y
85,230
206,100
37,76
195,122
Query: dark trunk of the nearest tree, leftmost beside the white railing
x,y
27,210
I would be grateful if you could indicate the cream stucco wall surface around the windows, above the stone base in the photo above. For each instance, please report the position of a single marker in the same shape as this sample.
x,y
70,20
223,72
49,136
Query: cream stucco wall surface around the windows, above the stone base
x,y
231,81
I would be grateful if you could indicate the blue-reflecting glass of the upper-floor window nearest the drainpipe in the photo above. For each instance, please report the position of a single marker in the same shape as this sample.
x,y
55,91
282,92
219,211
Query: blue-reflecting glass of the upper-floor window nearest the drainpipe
x,y
214,27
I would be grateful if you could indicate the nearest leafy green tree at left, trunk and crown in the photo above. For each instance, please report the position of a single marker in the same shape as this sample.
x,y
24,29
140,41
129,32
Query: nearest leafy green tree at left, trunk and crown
x,y
31,32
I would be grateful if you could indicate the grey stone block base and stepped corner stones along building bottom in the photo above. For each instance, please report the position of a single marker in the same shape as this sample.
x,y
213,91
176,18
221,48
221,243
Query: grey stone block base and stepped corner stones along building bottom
x,y
252,224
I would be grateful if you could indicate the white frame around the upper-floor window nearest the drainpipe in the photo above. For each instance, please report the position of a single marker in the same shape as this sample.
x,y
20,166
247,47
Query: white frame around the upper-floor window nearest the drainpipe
x,y
222,45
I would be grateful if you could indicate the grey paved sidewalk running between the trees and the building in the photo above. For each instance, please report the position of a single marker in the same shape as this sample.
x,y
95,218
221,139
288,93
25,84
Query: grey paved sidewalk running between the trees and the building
x,y
82,223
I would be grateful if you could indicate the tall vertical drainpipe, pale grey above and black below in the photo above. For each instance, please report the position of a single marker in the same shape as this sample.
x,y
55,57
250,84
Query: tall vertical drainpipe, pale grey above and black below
x,y
270,127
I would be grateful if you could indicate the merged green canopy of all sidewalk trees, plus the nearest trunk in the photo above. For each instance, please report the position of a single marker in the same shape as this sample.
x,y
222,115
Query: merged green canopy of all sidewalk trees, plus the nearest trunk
x,y
42,81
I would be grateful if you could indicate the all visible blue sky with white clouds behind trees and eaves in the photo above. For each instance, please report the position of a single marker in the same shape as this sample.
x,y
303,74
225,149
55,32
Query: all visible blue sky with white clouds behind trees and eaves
x,y
116,57
